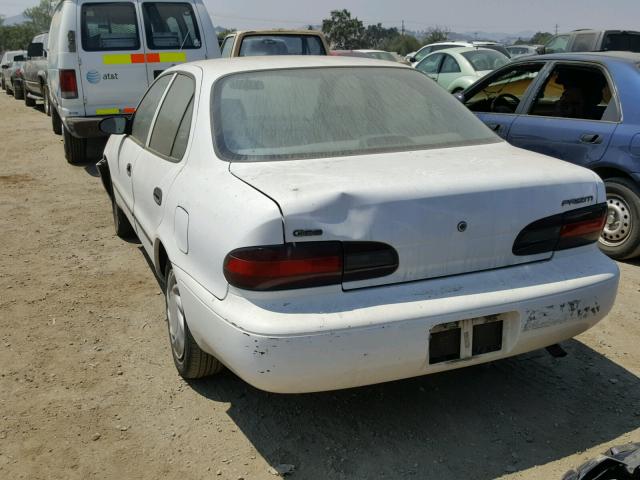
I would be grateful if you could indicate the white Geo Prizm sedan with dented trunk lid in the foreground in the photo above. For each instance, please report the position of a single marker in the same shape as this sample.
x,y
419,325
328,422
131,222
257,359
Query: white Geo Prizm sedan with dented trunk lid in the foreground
x,y
324,223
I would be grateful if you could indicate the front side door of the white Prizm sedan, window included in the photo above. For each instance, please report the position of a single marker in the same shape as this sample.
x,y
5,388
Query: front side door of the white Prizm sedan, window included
x,y
133,145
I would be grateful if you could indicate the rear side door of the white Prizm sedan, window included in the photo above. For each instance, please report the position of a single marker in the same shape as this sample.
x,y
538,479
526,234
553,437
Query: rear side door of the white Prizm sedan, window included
x,y
159,164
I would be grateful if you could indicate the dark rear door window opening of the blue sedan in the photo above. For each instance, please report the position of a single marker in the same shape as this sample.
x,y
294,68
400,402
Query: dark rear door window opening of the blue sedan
x,y
576,92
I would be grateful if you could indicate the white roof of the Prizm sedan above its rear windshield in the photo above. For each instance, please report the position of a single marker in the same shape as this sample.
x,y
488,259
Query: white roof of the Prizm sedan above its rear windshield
x,y
216,68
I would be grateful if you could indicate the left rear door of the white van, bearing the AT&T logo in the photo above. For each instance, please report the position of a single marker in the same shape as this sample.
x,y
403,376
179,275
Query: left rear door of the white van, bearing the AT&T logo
x,y
112,69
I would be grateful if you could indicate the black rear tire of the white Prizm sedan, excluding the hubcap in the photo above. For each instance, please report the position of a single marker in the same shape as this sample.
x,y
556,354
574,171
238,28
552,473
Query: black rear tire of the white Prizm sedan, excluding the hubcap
x,y
191,362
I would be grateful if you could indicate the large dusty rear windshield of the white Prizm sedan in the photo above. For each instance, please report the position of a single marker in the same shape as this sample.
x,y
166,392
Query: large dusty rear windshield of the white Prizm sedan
x,y
329,112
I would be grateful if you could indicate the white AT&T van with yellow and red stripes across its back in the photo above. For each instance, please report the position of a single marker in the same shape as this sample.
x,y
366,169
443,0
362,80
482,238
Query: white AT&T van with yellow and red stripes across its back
x,y
104,54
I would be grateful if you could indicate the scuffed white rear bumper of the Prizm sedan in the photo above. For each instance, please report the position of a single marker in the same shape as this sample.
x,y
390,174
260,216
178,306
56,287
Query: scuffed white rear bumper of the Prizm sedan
x,y
333,339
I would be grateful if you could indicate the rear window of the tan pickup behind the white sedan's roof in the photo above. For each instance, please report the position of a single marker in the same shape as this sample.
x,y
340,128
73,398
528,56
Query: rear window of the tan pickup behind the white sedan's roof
x,y
258,45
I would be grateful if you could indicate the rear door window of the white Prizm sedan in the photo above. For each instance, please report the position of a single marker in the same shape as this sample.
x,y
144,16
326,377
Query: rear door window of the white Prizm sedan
x,y
174,120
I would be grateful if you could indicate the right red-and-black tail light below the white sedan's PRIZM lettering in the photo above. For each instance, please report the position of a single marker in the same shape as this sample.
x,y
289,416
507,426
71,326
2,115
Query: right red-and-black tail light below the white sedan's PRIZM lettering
x,y
560,232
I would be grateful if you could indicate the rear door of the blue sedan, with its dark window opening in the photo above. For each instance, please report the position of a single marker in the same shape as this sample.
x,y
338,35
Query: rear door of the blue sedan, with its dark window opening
x,y
572,116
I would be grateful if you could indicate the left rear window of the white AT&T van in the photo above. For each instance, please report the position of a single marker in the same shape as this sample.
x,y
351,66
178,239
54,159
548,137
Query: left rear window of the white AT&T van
x,y
109,26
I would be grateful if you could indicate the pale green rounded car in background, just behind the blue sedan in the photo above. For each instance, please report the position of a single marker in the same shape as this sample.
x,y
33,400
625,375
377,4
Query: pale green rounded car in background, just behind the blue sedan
x,y
456,69
